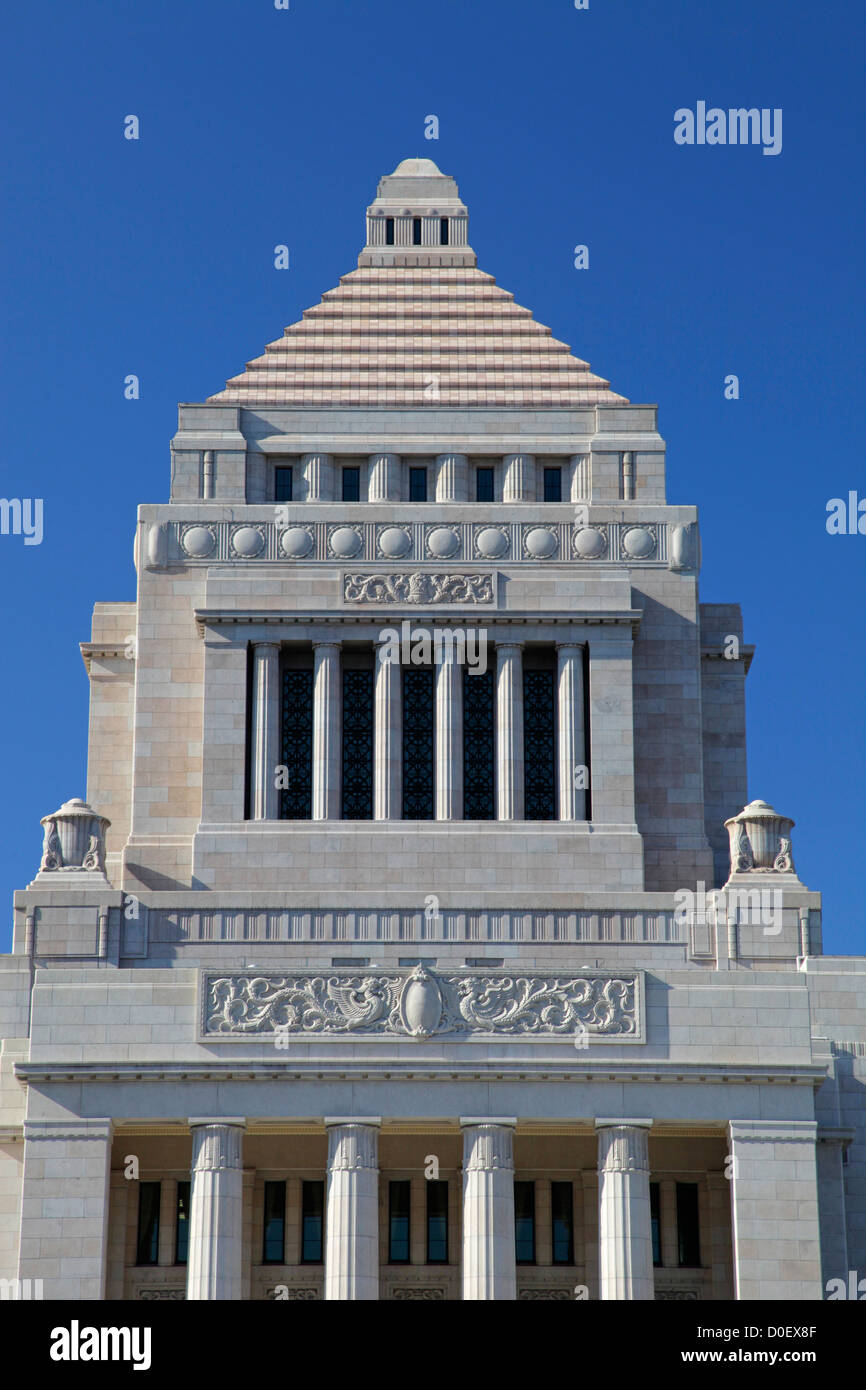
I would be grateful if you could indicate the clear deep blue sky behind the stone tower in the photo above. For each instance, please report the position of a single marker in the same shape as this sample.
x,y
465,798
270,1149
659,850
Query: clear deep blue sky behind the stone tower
x,y
261,127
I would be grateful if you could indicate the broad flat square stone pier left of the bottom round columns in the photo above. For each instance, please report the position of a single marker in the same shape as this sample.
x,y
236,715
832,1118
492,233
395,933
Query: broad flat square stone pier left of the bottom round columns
x,y
65,1200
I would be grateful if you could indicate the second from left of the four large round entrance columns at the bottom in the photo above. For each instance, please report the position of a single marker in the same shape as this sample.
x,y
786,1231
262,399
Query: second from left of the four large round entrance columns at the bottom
x,y
352,1220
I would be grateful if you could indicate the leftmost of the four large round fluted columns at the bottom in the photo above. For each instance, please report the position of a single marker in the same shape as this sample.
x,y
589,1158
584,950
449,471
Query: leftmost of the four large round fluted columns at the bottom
x,y
216,1211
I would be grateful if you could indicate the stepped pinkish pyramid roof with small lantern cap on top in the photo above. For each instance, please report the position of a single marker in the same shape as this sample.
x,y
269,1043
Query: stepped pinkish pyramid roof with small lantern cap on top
x,y
418,323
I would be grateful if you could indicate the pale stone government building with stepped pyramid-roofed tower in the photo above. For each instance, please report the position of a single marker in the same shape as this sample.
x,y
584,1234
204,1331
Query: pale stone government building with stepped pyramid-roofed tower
x,y
418,938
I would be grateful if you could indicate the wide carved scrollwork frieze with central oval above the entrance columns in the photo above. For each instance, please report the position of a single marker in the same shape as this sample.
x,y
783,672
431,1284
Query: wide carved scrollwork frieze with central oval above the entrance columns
x,y
596,1006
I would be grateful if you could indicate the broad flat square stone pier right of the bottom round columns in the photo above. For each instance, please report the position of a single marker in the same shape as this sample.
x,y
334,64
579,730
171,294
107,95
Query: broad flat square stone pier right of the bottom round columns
x,y
785,1261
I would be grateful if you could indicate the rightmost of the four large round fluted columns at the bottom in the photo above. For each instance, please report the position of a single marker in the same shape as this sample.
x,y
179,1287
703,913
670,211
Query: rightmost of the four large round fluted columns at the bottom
x,y
623,1210
